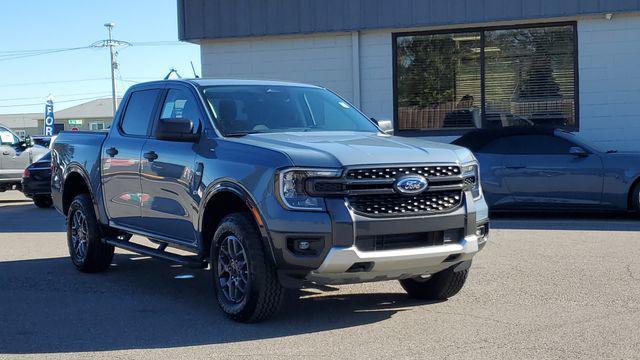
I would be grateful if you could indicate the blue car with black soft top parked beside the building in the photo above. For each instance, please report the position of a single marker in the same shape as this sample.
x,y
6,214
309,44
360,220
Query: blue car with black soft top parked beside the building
x,y
540,168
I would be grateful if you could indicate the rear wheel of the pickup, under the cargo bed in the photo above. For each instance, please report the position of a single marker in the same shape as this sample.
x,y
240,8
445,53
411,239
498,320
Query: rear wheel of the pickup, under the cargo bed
x,y
88,253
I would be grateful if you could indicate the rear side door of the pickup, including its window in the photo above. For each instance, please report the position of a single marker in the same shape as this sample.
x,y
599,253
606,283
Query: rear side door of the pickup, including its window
x,y
122,150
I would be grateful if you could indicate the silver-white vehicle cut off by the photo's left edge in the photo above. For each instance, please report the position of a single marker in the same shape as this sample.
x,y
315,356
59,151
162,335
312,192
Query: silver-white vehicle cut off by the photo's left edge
x,y
15,156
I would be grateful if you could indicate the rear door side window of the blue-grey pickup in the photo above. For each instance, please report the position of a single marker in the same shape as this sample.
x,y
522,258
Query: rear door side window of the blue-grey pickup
x,y
137,115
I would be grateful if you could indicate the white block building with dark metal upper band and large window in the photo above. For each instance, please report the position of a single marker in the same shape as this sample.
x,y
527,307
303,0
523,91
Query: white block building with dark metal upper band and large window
x,y
438,68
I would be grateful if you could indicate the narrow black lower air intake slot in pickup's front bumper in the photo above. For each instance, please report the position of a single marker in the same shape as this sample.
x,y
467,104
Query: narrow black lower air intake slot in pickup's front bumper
x,y
408,241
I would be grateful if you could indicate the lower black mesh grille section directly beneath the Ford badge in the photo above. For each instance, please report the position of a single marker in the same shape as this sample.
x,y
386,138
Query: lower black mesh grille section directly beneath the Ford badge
x,y
397,204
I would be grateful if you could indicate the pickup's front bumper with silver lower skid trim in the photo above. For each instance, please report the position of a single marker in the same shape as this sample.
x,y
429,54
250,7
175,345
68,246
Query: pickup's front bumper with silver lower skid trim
x,y
338,260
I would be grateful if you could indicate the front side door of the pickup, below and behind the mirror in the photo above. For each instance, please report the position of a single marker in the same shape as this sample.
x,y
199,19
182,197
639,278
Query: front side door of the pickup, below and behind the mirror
x,y
170,172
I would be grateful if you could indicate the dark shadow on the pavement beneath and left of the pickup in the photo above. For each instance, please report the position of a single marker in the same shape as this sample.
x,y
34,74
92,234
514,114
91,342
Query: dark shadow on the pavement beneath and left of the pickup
x,y
48,306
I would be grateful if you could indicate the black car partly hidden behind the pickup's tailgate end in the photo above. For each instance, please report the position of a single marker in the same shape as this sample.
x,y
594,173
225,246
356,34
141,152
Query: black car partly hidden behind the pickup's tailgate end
x,y
36,182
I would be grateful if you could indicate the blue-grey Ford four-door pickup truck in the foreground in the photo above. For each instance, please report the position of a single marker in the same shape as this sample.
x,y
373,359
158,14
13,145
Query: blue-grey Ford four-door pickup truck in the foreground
x,y
271,186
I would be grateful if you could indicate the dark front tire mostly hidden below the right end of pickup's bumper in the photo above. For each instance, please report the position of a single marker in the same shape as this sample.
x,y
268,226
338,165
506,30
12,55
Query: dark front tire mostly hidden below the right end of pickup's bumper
x,y
440,286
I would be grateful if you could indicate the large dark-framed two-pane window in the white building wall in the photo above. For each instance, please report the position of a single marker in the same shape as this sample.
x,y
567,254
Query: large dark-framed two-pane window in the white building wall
x,y
486,78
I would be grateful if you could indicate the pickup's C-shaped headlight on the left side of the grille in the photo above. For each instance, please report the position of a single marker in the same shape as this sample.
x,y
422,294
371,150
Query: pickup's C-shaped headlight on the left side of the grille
x,y
290,185
